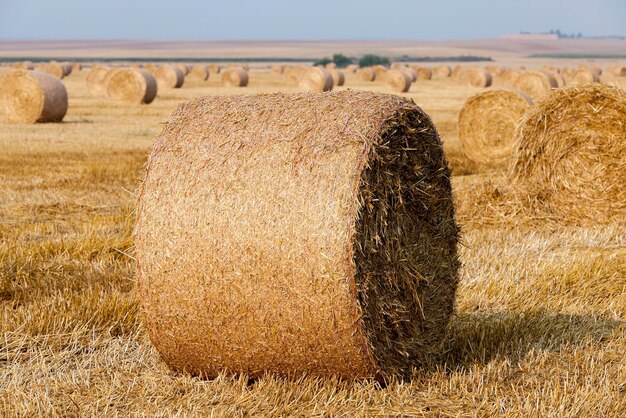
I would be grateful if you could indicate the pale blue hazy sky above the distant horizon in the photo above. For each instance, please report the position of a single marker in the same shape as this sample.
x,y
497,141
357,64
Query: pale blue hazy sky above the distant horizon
x,y
312,19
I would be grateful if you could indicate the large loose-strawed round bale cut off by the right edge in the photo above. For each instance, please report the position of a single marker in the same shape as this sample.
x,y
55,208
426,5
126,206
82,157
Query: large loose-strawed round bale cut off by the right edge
x,y
570,152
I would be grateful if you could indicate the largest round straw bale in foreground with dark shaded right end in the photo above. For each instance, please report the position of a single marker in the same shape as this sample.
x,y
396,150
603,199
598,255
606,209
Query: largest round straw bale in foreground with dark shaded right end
x,y
314,236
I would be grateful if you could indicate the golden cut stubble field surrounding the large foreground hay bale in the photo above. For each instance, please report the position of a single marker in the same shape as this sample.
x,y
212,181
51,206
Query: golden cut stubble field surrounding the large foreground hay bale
x,y
540,328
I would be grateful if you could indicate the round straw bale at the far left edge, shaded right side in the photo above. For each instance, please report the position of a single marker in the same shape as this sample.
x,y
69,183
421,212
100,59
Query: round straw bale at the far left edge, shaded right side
x,y
31,96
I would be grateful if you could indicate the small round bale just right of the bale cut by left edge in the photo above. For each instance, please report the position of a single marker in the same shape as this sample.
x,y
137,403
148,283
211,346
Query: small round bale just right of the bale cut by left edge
x,y
132,85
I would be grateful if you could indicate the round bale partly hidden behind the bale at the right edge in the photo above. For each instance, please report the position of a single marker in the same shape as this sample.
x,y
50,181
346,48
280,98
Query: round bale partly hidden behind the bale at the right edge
x,y
486,126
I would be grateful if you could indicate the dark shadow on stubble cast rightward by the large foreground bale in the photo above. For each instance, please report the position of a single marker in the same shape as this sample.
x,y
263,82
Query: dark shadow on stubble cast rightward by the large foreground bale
x,y
478,338
